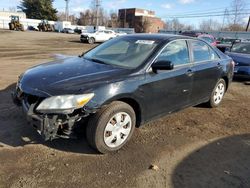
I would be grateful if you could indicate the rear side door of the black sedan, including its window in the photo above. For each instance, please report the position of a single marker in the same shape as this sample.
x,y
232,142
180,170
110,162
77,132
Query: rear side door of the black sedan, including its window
x,y
206,68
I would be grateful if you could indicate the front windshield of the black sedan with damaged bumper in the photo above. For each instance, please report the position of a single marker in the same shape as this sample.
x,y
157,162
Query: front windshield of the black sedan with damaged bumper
x,y
127,52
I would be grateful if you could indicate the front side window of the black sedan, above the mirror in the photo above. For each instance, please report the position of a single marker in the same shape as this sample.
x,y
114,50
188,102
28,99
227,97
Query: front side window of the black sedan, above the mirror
x,y
176,52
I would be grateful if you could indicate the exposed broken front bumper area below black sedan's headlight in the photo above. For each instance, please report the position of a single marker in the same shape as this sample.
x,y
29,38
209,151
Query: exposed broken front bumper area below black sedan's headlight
x,y
49,126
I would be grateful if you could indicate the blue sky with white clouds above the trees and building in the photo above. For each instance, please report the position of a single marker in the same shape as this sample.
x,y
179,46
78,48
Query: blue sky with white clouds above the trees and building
x,y
163,8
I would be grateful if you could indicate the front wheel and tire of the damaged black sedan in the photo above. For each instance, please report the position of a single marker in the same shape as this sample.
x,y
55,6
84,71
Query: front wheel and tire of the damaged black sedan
x,y
104,133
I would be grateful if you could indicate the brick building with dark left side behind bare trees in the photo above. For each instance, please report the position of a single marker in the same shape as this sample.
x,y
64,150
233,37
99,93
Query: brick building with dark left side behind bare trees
x,y
143,21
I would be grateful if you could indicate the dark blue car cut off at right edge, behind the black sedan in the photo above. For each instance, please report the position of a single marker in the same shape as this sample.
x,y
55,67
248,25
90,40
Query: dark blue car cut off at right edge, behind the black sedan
x,y
240,53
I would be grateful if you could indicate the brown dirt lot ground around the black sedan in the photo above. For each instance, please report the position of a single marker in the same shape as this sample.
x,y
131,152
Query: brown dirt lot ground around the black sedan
x,y
197,147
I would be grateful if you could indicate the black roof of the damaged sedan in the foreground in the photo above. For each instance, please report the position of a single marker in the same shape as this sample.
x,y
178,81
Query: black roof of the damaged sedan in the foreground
x,y
157,36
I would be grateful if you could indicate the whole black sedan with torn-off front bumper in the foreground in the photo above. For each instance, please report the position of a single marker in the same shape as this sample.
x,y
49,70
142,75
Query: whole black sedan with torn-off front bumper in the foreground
x,y
122,84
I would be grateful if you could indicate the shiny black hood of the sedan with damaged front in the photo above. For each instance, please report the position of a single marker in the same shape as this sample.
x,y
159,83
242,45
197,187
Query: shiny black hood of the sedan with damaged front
x,y
67,76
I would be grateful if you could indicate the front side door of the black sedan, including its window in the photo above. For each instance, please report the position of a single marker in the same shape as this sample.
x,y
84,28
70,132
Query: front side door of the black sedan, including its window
x,y
169,90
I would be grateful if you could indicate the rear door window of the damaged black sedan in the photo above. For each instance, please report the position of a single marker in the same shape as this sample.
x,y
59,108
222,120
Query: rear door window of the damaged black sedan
x,y
200,51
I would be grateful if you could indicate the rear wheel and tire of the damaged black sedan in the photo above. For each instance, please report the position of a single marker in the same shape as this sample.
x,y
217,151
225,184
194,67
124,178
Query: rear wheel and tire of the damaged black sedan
x,y
217,94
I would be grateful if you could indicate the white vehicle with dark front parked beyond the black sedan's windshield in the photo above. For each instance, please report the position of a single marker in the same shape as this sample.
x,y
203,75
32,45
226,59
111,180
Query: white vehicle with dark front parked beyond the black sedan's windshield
x,y
98,36
